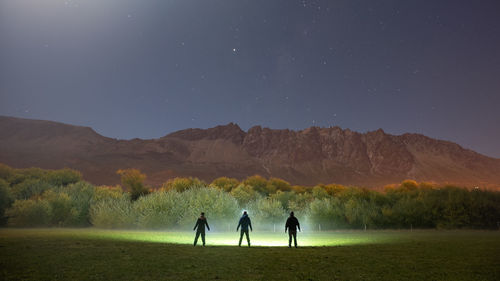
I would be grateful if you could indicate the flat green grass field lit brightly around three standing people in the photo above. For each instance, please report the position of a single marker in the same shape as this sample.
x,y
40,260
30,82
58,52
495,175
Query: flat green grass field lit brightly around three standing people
x,y
90,254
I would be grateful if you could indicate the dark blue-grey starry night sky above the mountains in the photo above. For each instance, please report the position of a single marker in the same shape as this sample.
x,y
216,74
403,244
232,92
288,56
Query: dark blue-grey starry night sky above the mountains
x,y
145,68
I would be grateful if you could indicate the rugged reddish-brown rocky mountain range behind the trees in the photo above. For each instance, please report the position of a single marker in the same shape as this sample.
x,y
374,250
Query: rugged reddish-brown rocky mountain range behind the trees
x,y
307,157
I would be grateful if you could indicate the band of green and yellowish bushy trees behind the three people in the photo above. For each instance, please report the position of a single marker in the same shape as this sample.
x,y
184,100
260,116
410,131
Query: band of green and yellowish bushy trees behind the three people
x,y
39,198
